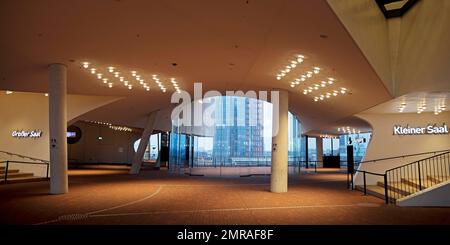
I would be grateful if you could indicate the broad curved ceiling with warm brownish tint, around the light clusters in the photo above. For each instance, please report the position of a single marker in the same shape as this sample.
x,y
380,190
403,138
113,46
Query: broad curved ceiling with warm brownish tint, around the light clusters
x,y
226,45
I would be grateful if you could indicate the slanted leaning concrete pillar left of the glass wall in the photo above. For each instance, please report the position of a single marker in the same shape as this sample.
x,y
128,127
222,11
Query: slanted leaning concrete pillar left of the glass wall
x,y
137,158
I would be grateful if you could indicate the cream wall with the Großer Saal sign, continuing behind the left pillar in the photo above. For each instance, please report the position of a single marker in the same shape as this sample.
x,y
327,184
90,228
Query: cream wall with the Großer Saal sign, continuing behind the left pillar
x,y
29,111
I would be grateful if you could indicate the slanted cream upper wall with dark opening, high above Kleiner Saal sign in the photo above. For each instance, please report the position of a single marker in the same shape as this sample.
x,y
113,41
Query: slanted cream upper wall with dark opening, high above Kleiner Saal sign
x,y
409,53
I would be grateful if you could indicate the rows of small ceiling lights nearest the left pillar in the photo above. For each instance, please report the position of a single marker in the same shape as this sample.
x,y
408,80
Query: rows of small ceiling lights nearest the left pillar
x,y
112,74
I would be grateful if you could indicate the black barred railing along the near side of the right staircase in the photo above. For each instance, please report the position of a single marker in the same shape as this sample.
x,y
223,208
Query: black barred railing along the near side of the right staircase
x,y
416,176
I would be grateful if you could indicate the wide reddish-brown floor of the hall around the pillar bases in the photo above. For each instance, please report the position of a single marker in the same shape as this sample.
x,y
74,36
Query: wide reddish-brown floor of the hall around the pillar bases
x,y
111,196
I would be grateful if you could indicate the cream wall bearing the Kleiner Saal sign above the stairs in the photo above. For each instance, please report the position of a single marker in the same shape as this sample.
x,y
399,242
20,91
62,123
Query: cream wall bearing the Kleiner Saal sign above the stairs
x,y
384,144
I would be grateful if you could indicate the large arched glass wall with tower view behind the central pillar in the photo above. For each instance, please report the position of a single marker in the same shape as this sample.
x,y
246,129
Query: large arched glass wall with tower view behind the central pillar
x,y
241,136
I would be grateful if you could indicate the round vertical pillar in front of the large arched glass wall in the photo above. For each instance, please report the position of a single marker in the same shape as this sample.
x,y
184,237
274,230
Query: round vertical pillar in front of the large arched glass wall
x,y
279,176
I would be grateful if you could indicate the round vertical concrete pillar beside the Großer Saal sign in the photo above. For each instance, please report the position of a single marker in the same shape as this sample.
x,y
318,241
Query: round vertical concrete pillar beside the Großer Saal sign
x,y
58,128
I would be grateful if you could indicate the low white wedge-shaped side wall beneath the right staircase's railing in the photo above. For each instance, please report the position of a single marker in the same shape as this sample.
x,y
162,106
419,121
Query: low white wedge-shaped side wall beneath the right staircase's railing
x,y
436,196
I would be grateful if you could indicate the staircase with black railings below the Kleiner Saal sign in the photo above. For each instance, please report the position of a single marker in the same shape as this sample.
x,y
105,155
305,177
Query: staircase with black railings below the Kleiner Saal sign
x,y
410,178
